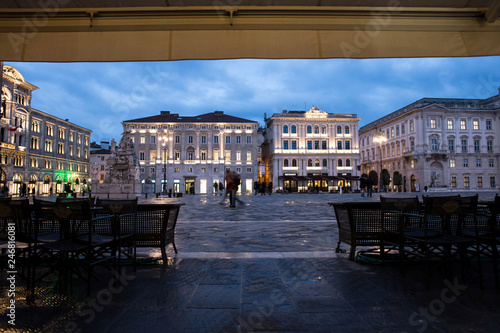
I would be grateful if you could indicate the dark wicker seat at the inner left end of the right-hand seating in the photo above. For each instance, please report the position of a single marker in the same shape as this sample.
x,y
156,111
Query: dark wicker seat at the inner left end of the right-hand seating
x,y
359,224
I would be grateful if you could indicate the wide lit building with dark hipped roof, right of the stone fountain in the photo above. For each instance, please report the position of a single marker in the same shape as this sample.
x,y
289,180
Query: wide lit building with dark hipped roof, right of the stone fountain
x,y
189,154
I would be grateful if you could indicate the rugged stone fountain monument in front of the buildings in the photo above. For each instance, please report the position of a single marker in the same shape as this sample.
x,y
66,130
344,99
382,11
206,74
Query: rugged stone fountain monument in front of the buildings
x,y
122,171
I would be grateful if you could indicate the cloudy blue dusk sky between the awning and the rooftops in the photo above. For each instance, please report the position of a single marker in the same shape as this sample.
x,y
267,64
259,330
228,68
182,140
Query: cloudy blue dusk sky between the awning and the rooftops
x,y
99,96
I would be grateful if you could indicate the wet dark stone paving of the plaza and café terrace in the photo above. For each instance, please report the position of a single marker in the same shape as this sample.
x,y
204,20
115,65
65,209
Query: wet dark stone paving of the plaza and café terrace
x,y
266,266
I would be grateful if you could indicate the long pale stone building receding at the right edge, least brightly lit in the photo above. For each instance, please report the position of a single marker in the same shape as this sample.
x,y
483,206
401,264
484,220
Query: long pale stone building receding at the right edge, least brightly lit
x,y
438,143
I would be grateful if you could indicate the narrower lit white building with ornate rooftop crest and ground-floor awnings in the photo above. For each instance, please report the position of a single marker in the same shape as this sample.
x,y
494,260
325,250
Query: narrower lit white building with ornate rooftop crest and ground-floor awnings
x,y
313,150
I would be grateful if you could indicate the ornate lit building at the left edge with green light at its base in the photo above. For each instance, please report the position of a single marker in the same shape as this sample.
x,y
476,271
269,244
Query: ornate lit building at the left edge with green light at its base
x,y
37,149
